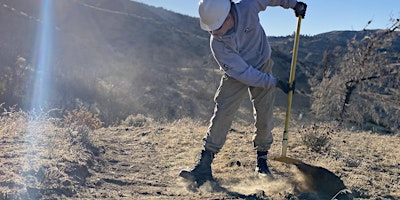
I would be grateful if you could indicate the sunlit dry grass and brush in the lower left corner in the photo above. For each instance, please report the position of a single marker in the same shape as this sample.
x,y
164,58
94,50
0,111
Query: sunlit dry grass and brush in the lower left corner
x,y
39,159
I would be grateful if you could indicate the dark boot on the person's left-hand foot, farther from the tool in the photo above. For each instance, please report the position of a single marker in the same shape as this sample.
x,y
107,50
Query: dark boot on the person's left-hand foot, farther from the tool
x,y
202,171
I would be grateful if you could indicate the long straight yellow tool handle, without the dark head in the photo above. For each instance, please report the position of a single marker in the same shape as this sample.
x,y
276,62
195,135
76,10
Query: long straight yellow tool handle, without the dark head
x,y
290,94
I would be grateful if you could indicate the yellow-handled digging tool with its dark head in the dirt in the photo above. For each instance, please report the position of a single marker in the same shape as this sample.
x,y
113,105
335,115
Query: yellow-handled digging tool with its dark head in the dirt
x,y
316,179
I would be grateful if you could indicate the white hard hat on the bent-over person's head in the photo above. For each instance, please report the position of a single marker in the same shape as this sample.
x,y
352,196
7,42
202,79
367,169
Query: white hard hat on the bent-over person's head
x,y
213,13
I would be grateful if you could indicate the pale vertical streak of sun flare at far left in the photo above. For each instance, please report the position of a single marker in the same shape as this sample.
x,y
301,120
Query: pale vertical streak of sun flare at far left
x,y
40,89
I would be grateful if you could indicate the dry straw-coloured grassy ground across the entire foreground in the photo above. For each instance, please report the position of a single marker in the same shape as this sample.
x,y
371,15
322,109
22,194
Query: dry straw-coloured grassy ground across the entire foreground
x,y
45,158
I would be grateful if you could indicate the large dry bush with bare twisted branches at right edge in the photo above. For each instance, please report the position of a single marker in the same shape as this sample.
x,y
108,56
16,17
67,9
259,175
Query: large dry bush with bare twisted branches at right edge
x,y
359,85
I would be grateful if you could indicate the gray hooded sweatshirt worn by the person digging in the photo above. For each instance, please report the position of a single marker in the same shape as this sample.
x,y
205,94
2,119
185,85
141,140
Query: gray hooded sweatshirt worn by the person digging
x,y
243,50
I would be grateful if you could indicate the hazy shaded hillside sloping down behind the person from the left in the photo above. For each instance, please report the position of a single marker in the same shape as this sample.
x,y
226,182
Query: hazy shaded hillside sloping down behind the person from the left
x,y
120,57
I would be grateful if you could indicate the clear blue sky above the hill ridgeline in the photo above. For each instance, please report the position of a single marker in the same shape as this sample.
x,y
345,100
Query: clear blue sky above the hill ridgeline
x,y
322,15
